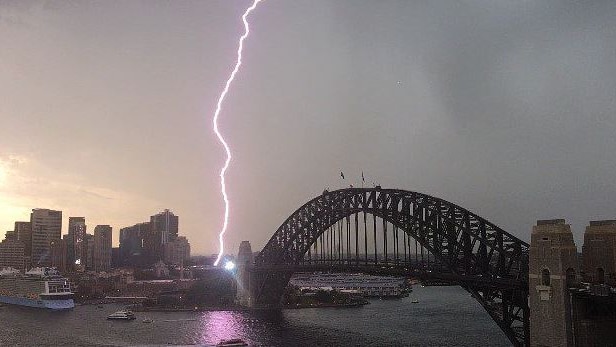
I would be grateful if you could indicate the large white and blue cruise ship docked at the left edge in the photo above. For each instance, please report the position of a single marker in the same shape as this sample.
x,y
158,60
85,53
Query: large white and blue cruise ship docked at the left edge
x,y
39,287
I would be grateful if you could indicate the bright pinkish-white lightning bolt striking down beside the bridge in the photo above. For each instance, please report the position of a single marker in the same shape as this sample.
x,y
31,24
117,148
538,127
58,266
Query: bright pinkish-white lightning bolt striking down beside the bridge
x,y
223,187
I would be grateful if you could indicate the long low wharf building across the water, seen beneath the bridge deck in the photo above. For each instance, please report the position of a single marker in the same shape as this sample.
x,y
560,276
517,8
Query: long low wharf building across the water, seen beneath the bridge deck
x,y
368,286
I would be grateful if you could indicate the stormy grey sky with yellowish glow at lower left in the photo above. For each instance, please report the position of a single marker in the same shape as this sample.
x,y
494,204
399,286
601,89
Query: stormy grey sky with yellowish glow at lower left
x,y
507,108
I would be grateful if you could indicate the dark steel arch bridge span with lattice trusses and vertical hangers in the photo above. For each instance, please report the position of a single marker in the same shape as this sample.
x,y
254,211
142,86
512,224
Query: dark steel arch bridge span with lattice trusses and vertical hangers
x,y
487,261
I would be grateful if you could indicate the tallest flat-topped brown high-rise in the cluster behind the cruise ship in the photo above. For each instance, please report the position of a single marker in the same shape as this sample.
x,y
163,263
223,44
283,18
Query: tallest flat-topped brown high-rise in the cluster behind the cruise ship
x,y
46,227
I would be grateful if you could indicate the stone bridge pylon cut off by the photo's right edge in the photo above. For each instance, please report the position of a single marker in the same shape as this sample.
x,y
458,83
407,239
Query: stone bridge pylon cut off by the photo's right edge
x,y
599,252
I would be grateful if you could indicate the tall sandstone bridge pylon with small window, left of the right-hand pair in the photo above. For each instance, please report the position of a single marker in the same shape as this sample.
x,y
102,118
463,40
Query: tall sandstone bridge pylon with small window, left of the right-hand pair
x,y
552,261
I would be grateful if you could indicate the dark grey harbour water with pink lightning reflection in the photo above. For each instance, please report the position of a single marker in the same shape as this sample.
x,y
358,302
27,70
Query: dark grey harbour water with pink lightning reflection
x,y
444,316
